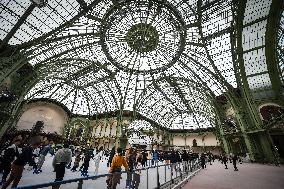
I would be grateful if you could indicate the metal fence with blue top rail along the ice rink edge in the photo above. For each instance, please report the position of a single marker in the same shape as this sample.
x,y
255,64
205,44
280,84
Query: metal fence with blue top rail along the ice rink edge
x,y
161,176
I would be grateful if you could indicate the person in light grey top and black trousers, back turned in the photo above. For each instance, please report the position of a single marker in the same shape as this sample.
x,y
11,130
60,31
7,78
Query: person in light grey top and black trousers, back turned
x,y
61,159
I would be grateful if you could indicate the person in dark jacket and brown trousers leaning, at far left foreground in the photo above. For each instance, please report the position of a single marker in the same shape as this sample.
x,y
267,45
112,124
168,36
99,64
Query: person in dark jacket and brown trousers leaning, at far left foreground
x,y
18,165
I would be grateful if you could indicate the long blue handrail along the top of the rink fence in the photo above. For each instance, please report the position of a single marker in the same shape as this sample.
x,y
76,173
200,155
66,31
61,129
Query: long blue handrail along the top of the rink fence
x,y
55,183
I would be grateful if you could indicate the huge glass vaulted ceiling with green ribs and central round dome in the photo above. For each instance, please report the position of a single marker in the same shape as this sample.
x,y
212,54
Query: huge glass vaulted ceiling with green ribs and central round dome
x,y
163,59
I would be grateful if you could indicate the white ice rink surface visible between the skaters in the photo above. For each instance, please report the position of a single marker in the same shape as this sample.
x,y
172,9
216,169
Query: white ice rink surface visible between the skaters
x,y
47,175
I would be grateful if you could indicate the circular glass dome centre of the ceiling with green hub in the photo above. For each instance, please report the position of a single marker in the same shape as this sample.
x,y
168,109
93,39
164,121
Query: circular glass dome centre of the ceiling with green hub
x,y
143,36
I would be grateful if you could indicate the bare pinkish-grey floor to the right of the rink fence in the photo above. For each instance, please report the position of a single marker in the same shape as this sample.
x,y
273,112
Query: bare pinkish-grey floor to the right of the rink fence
x,y
249,176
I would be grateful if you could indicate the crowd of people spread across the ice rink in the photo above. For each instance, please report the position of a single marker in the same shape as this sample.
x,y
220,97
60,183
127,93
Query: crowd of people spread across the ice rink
x,y
13,160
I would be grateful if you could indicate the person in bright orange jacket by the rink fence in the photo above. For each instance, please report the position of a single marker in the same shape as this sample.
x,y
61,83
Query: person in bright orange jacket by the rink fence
x,y
115,168
